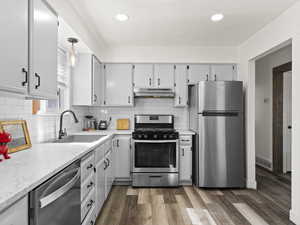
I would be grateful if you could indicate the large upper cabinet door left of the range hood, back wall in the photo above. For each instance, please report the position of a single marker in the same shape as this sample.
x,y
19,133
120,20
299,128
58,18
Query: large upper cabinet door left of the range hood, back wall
x,y
118,91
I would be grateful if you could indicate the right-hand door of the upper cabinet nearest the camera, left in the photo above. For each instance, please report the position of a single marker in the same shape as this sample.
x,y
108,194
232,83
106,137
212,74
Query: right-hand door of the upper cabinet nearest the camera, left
x,y
44,51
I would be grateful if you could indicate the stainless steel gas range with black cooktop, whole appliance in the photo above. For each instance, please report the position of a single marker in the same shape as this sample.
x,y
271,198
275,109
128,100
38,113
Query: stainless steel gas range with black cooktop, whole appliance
x,y
155,153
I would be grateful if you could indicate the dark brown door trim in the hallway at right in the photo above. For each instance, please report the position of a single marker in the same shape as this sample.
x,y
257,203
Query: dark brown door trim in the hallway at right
x,y
277,141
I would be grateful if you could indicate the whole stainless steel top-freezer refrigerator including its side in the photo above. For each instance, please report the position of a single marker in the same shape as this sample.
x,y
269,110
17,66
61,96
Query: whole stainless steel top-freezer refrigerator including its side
x,y
216,115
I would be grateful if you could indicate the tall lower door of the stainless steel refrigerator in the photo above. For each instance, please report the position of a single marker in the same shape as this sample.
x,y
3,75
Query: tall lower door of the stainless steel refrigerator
x,y
221,160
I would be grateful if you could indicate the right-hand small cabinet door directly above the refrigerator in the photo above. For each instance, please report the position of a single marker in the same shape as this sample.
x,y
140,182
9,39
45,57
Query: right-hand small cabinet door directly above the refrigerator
x,y
223,72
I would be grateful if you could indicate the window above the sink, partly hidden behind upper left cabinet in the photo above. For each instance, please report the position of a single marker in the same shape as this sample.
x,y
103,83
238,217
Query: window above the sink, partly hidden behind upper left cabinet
x,y
55,106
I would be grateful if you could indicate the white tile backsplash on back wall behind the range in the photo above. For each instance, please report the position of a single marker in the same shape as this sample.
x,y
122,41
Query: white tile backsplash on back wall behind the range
x,y
143,106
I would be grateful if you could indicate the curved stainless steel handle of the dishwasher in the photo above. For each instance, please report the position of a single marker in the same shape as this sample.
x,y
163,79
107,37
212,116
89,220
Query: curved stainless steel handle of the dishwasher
x,y
59,192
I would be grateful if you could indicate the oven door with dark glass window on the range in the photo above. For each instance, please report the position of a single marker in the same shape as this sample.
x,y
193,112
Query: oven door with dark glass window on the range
x,y
155,156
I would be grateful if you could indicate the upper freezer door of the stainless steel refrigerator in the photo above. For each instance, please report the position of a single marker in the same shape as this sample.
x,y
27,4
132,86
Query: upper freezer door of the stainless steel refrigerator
x,y
220,96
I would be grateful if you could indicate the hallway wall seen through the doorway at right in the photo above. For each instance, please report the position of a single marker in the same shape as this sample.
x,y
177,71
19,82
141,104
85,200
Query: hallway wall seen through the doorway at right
x,y
264,101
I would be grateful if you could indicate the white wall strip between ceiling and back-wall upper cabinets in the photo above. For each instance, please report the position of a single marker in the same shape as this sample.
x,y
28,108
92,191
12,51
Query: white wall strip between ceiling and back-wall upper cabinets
x,y
172,54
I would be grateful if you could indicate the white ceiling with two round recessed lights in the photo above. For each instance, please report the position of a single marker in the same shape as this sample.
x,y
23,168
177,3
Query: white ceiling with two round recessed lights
x,y
178,22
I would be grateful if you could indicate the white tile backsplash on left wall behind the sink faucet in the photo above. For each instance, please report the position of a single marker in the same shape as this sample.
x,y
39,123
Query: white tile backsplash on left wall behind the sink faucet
x,y
41,127
